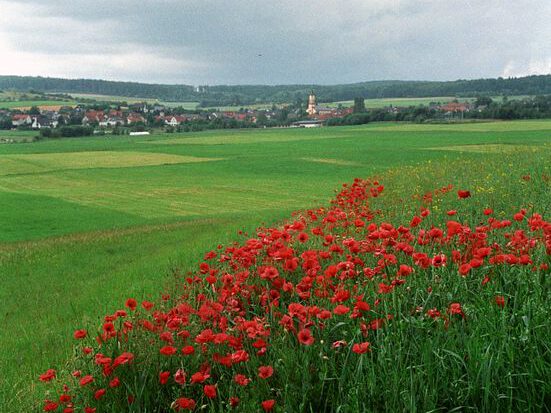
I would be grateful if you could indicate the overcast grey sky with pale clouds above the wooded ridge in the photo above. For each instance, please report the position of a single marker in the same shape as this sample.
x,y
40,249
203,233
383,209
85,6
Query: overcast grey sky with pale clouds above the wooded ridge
x,y
211,42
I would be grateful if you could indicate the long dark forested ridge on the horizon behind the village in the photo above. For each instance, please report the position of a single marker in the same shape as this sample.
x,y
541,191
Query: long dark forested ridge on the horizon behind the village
x,y
248,94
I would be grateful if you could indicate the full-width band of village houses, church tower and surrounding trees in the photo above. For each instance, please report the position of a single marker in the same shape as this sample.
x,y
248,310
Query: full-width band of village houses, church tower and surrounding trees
x,y
97,117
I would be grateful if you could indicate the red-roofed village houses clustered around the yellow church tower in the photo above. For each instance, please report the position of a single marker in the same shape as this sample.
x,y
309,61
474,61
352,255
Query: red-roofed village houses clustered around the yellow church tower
x,y
139,116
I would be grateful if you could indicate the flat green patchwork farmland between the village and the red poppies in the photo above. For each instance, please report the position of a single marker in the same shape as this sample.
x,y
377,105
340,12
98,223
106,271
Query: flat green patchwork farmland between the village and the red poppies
x,y
87,222
